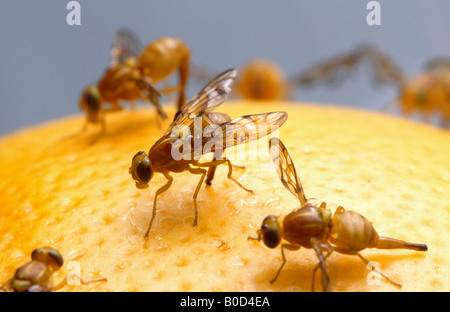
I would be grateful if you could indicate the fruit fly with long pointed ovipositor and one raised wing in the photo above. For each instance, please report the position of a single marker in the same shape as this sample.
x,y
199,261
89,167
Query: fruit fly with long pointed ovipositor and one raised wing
x,y
312,226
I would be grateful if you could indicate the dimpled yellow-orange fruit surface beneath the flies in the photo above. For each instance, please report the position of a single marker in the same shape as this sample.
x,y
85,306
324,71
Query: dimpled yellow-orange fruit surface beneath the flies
x,y
80,199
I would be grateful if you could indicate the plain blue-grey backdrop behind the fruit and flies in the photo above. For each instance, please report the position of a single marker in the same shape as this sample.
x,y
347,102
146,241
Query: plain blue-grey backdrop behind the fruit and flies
x,y
45,63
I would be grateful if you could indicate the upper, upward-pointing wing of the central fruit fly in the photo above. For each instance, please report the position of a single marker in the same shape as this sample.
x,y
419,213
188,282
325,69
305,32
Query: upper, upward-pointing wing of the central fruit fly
x,y
207,100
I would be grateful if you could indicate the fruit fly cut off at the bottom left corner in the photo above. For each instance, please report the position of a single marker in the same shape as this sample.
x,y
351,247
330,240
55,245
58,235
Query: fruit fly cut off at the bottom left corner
x,y
36,275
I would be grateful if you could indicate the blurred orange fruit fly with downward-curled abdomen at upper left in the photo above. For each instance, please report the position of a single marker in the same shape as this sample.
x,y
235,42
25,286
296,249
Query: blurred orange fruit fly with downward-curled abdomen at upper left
x,y
133,73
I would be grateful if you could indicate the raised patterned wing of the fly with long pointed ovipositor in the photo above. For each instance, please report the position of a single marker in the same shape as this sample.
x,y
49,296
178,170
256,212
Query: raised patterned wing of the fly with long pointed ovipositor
x,y
286,169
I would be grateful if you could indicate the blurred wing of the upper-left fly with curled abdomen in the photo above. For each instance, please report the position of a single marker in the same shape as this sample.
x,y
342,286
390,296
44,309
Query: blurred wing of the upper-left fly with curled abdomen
x,y
126,44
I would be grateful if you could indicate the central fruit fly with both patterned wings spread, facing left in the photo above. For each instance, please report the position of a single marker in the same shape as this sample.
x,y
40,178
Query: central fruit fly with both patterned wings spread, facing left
x,y
197,130
